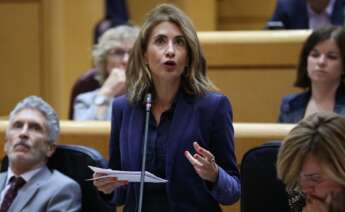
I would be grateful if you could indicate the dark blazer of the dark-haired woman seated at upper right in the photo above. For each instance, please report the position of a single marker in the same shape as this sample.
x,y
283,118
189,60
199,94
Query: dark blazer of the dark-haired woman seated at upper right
x,y
293,106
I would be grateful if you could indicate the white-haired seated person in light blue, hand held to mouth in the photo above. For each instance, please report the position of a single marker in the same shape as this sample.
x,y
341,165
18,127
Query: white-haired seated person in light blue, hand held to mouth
x,y
111,58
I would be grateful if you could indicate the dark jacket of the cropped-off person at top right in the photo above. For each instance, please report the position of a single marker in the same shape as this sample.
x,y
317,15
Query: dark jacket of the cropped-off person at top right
x,y
294,15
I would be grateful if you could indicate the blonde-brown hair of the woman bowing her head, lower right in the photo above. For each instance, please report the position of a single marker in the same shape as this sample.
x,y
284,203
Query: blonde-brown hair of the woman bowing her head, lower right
x,y
323,136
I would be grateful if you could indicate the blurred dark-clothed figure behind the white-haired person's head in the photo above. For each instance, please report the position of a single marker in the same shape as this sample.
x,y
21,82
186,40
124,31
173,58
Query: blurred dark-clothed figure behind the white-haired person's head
x,y
116,13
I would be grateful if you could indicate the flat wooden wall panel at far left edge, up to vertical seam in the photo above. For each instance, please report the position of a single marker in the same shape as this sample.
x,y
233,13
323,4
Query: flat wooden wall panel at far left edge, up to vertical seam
x,y
20,52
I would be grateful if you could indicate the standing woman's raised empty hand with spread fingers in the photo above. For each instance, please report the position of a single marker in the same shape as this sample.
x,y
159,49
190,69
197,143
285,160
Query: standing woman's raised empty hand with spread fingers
x,y
204,163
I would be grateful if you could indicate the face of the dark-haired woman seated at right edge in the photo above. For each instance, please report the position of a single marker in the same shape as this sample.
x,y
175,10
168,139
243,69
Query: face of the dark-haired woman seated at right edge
x,y
324,63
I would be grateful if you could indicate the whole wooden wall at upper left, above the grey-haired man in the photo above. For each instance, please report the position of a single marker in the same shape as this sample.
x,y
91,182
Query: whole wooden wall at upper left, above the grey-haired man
x,y
45,46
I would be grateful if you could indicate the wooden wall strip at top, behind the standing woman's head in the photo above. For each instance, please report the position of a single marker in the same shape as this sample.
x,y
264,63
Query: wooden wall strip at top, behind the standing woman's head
x,y
214,14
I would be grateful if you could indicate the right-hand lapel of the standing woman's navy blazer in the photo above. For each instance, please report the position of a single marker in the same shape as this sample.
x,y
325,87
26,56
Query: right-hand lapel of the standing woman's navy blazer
x,y
178,126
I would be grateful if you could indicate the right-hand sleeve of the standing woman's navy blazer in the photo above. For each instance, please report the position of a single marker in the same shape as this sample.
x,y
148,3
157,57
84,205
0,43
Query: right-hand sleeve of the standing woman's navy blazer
x,y
227,188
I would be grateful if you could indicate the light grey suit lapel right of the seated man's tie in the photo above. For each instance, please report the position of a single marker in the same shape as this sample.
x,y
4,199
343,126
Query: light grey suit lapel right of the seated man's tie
x,y
28,191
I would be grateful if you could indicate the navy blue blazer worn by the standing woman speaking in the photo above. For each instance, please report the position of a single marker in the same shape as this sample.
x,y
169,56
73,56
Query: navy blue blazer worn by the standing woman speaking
x,y
207,120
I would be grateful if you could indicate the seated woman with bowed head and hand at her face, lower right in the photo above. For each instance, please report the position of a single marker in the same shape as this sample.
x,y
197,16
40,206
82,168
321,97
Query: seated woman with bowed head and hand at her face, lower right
x,y
311,163
